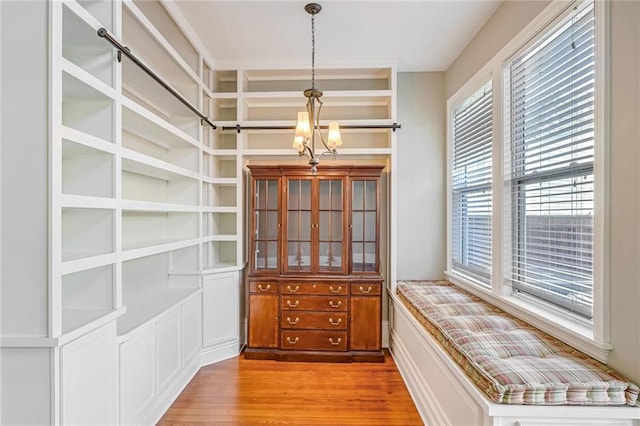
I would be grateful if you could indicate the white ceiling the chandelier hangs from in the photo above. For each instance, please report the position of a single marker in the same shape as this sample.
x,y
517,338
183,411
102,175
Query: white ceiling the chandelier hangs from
x,y
419,35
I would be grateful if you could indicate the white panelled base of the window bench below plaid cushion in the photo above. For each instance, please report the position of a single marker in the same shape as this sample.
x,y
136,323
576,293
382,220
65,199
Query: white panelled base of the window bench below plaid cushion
x,y
444,395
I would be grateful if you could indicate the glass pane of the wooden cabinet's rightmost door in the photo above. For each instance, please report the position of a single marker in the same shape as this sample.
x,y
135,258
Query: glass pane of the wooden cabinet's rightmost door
x,y
364,225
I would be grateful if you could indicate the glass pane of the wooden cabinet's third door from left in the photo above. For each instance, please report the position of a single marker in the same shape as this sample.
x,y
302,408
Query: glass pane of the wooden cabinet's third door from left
x,y
330,225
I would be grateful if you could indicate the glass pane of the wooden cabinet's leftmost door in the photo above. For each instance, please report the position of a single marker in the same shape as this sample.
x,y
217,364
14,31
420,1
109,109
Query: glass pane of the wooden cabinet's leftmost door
x,y
266,226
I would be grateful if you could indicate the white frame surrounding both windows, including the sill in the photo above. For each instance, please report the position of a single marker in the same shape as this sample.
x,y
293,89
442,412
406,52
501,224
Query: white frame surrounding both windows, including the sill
x,y
589,337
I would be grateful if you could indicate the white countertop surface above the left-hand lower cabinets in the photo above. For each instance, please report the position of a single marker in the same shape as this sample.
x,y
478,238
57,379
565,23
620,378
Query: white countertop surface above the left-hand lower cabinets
x,y
144,310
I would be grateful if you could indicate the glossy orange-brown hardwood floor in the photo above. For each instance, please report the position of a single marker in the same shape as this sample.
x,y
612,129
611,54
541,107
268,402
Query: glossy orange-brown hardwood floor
x,y
244,392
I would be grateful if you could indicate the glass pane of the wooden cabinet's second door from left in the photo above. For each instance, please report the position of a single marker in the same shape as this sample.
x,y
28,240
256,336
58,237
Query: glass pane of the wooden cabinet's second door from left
x,y
299,225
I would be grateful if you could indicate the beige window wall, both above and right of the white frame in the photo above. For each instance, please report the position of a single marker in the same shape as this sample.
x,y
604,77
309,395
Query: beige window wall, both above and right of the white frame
x,y
624,189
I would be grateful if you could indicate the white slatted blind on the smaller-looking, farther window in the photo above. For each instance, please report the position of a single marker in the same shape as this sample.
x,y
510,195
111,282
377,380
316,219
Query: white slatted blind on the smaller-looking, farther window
x,y
471,185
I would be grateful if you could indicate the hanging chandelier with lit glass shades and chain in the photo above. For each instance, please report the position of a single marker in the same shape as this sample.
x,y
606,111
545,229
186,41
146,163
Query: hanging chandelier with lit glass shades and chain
x,y
308,126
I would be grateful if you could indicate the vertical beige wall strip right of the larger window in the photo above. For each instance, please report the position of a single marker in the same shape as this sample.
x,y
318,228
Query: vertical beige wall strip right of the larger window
x,y
625,188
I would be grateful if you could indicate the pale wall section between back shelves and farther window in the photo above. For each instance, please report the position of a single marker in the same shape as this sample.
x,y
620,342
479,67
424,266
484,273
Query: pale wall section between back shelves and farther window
x,y
421,167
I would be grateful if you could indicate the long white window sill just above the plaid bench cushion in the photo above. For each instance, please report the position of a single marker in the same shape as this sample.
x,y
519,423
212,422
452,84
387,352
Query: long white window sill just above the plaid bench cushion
x,y
569,330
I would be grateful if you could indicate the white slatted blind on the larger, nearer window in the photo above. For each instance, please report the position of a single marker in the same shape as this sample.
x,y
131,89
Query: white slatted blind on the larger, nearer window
x,y
551,153
